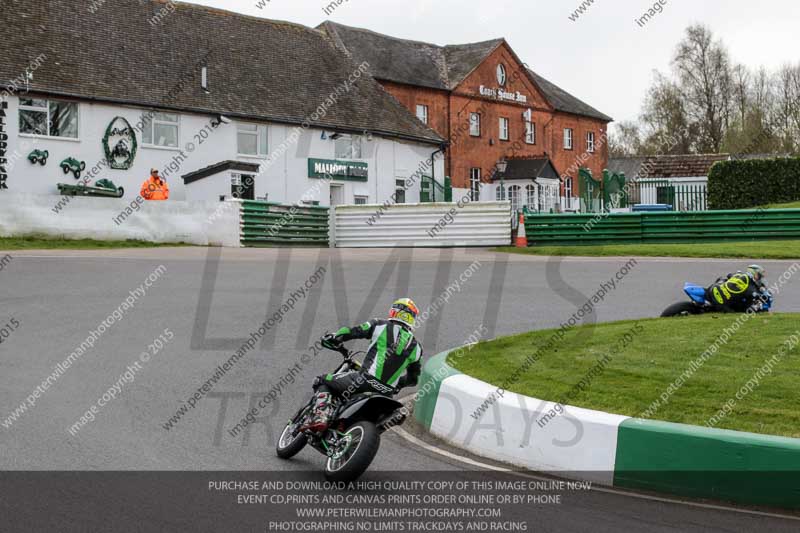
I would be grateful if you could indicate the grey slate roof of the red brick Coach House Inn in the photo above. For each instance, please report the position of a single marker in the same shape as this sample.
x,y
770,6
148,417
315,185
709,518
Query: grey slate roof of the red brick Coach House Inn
x,y
437,67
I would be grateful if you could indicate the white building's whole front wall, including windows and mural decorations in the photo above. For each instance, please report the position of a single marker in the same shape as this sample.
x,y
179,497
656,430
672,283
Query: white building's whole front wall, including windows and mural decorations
x,y
180,143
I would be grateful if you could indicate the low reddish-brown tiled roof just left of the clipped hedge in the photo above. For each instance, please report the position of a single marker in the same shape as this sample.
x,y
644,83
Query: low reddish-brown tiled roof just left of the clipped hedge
x,y
666,166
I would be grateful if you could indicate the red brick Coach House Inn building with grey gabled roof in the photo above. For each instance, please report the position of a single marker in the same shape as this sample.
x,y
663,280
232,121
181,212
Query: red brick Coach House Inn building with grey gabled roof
x,y
490,106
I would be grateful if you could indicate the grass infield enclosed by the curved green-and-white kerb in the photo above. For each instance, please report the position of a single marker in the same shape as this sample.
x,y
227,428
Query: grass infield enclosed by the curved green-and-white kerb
x,y
638,373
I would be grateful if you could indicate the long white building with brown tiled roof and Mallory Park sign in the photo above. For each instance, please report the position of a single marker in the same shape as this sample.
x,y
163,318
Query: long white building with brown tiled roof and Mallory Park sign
x,y
287,118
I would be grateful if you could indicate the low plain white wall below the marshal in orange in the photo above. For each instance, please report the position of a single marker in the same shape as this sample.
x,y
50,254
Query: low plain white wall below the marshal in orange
x,y
78,217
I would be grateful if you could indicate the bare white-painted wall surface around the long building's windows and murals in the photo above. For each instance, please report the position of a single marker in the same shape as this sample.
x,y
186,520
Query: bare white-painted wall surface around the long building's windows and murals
x,y
284,178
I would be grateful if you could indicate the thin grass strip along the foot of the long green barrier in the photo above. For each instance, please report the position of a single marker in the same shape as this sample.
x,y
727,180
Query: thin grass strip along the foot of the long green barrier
x,y
749,250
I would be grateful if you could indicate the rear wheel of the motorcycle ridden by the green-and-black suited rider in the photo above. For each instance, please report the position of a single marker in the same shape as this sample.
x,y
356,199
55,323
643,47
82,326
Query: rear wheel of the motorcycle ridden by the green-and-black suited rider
x,y
358,447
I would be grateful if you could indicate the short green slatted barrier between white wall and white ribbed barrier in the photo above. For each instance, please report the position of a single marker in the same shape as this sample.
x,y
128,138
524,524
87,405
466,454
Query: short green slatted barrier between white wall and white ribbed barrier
x,y
267,224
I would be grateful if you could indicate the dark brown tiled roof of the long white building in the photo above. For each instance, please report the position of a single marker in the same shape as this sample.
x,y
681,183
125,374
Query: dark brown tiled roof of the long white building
x,y
259,69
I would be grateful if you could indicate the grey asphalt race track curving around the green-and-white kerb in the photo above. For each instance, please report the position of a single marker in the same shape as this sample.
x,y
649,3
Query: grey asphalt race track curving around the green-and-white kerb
x,y
212,304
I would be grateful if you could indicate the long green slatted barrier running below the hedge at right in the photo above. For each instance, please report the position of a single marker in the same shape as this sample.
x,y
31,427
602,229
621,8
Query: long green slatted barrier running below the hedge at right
x,y
663,227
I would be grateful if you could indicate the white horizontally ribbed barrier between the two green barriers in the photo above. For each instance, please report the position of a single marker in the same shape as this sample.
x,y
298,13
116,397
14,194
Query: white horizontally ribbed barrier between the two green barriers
x,y
423,225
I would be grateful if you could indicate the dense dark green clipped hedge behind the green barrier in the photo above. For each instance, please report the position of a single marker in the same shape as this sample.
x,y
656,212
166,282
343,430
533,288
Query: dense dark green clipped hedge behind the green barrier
x,y
742,184
